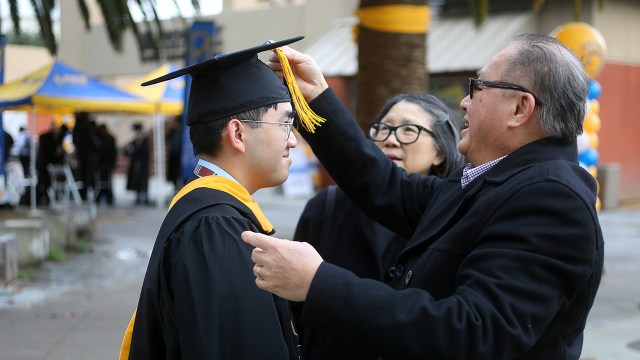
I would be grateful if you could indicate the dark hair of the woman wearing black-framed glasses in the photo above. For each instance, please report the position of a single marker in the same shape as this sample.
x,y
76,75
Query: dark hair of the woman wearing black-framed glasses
x,y
445,134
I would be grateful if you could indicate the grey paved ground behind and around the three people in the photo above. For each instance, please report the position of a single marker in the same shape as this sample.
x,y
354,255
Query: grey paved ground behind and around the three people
x,y
78,309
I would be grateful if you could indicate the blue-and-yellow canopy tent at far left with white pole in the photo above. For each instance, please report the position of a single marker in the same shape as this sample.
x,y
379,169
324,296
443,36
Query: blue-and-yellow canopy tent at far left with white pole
x,y
59,88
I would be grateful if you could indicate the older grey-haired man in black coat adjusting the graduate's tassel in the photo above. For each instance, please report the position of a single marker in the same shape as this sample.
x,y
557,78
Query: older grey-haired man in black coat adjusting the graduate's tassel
x,y
505,255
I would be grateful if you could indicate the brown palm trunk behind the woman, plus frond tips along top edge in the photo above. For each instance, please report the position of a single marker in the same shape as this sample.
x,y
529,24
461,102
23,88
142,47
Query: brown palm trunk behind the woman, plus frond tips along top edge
x,y
391,63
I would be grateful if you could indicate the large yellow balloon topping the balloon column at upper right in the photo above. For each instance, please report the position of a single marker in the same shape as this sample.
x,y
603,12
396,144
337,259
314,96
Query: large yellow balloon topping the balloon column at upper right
x,y
586,42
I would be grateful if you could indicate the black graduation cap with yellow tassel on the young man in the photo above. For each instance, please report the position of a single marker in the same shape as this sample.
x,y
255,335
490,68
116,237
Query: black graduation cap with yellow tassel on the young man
x,y
229,84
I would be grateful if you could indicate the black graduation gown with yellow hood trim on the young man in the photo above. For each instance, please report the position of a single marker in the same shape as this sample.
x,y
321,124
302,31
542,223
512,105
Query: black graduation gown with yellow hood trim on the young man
x,y
199,299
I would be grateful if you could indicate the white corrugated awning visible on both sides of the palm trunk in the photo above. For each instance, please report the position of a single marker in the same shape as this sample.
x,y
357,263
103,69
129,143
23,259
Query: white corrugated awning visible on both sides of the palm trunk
x,y
454,45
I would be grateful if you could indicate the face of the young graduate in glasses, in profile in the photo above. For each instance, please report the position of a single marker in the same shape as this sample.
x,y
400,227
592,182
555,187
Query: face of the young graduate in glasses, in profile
x,y
269,147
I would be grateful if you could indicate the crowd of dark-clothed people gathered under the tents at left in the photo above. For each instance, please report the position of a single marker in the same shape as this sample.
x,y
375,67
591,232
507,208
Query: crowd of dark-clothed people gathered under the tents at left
x,y
89,151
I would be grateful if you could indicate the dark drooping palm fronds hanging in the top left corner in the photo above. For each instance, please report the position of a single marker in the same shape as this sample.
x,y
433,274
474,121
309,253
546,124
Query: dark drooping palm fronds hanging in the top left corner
x,y
116,14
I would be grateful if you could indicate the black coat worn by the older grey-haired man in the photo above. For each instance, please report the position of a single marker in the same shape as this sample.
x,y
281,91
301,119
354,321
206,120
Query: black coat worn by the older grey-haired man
x,y
506,268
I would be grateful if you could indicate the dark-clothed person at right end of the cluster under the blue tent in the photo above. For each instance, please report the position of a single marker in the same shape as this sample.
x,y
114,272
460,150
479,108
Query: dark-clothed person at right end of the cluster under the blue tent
x,y
106,165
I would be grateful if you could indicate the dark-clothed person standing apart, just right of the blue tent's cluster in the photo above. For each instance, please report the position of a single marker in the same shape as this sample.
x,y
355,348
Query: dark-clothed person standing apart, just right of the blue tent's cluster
x,y
138,173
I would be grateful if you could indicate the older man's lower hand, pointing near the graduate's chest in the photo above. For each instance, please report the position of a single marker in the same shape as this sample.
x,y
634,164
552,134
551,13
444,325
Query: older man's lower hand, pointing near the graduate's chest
x,y
285,268
